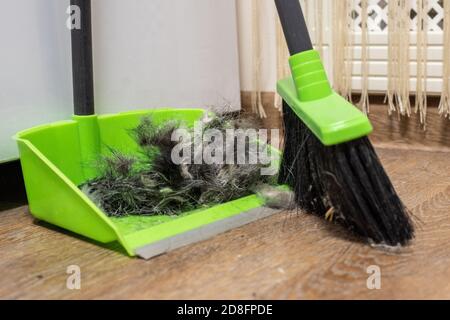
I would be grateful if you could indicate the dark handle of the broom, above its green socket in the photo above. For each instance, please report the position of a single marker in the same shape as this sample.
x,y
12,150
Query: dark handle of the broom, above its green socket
x,y
294,26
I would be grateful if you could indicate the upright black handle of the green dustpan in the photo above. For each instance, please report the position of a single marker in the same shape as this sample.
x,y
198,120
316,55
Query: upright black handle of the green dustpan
x,y
82,75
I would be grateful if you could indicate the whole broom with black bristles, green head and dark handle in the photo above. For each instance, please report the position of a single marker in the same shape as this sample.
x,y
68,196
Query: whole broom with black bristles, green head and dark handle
x,y
343,182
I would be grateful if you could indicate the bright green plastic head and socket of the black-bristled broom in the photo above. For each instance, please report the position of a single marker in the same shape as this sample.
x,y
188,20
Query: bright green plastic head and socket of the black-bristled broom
x,y
331,118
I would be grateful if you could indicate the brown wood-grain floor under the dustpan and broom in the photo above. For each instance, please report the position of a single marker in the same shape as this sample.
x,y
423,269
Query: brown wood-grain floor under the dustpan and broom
x,y
293,256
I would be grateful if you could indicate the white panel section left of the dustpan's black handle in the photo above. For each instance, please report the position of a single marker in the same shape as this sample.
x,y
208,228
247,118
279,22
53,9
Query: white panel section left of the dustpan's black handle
x,y
35,67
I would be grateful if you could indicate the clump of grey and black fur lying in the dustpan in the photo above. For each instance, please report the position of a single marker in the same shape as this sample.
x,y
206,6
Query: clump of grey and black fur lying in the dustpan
x,y
151,184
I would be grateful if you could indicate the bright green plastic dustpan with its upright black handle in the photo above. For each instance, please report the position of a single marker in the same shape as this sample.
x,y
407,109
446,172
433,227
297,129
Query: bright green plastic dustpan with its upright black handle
x,y
54,158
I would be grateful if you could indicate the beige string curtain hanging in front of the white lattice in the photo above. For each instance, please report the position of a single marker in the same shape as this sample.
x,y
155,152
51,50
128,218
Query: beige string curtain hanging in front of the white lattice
x,y
342,39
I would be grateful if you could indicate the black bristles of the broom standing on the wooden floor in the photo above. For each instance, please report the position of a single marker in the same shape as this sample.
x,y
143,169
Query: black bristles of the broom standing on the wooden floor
x,y
346,183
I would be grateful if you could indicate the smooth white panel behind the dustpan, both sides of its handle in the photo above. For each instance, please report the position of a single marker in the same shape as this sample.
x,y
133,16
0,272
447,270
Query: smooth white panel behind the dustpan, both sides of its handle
x,y
147,54
